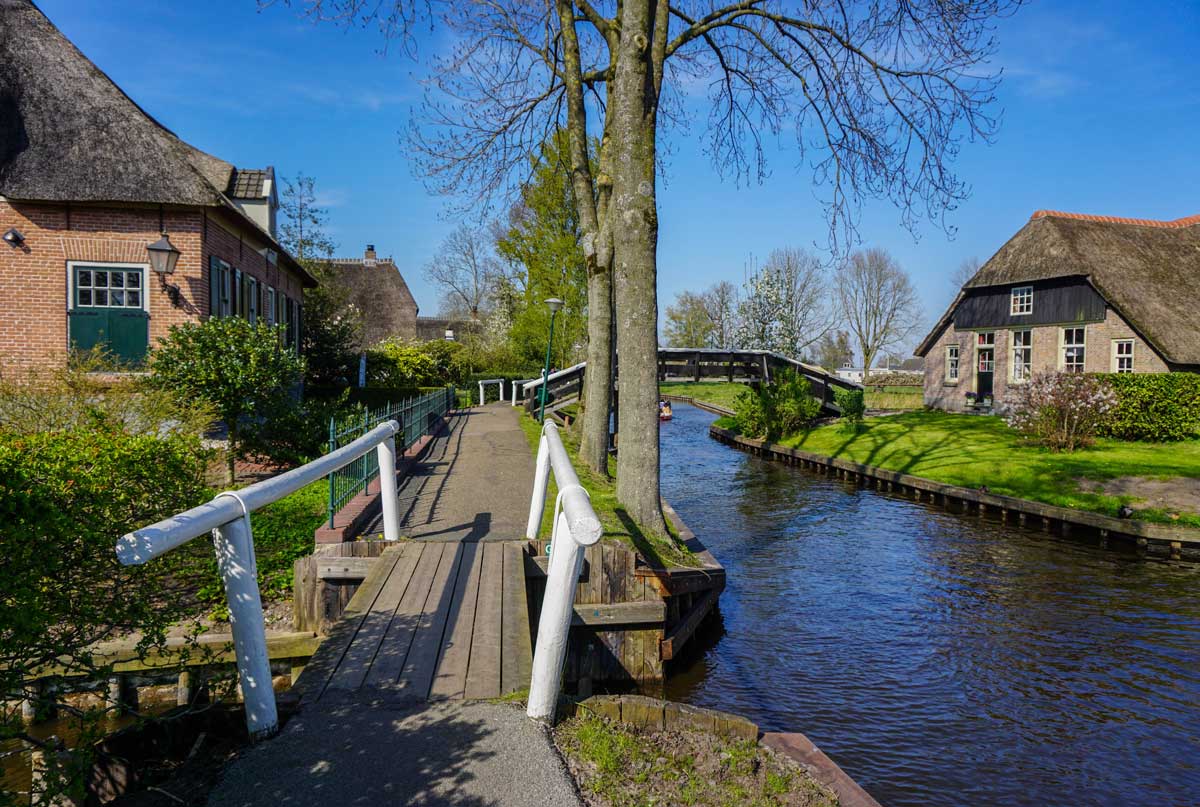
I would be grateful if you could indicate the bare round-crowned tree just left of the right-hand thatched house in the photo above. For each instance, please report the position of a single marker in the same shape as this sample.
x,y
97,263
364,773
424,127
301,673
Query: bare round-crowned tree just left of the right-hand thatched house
x,y
879,303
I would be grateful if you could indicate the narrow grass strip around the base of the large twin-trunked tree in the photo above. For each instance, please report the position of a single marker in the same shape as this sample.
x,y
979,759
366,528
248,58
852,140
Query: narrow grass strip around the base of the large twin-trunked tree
x,y
617,523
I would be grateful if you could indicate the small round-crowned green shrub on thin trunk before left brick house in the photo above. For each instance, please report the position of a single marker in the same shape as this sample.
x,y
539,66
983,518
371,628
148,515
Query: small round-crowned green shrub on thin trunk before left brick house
x,y
241,369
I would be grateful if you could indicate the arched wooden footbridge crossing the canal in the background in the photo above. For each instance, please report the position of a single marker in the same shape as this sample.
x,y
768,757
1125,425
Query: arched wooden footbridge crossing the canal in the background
x,y
704,364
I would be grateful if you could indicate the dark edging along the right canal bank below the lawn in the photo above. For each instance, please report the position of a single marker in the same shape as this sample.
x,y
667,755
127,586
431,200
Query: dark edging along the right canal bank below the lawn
x,y
1147,536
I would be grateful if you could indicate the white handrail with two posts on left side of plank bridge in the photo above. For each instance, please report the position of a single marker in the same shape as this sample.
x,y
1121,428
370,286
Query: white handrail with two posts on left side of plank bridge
x,y
229,519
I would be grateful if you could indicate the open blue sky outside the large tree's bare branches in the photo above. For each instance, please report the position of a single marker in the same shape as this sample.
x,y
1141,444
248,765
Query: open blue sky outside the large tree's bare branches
x,y
1101,115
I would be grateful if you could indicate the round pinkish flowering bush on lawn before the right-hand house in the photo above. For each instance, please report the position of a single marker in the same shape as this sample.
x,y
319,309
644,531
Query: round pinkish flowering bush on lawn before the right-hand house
x,y
1063,411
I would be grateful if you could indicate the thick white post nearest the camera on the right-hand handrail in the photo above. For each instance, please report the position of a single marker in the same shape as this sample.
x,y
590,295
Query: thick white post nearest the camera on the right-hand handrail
x,y
555,625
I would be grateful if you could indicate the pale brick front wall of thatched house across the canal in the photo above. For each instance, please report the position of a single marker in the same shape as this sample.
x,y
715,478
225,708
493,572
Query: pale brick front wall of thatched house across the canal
x,y
1097,358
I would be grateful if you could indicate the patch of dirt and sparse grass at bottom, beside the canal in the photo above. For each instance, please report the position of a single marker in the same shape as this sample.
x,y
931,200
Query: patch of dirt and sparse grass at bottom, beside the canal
x,y
619,767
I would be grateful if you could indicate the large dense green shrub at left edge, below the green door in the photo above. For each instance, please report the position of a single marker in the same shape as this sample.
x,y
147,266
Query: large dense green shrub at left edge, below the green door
x,y
65,499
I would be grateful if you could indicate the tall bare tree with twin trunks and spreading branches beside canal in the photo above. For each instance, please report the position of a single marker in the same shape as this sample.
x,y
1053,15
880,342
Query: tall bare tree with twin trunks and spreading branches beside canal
x,y
880,94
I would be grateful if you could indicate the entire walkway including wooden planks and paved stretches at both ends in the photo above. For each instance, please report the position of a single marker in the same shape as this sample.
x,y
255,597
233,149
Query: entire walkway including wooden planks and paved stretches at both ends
x,y
440,619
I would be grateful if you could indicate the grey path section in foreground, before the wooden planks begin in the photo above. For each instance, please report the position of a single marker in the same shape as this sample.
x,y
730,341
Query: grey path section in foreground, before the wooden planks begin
x,y
362,752
